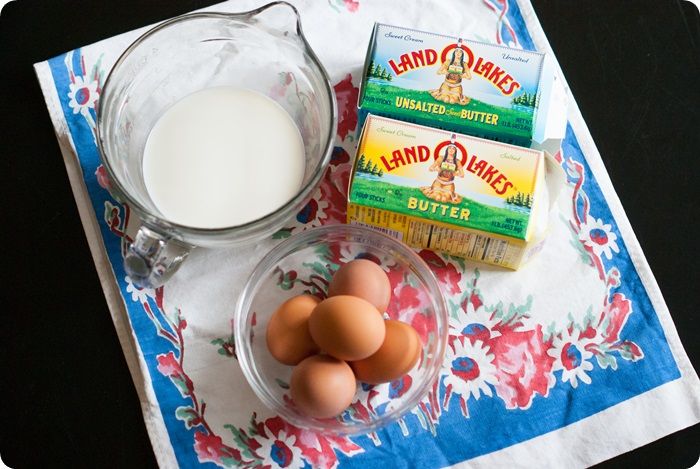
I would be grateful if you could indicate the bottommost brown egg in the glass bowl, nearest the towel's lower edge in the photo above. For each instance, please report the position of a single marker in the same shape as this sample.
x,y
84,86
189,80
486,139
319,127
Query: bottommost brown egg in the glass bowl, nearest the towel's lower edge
x,y
322,386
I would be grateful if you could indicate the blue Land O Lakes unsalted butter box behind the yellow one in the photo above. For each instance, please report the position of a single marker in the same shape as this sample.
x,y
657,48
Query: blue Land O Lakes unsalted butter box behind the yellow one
x,y
479,89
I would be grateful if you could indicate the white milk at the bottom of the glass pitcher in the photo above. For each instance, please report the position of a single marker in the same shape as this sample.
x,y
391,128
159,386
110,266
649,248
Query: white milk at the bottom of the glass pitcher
x,y
221,157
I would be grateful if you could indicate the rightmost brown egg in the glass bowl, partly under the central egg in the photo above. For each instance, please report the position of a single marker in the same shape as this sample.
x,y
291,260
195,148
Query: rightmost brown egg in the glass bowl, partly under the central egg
x,y
397,355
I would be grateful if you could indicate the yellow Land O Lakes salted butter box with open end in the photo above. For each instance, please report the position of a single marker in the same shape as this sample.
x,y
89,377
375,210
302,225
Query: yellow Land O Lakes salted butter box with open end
x,y
465,196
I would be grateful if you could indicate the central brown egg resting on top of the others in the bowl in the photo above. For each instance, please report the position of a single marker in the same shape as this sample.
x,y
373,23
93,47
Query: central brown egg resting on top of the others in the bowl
x,y
347,327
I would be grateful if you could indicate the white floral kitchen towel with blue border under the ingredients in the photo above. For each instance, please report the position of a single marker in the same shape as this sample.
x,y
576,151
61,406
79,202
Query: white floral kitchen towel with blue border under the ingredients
x,y
569,361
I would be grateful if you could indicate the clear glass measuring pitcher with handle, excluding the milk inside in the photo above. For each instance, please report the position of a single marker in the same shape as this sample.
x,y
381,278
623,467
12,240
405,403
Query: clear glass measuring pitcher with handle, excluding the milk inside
x,y
263,50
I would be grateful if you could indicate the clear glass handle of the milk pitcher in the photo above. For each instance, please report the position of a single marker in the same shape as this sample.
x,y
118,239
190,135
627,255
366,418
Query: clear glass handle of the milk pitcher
x,y
152,258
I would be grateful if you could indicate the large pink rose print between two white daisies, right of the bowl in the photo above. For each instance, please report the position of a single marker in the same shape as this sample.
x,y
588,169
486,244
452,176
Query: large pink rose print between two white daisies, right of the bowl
x,y
524,367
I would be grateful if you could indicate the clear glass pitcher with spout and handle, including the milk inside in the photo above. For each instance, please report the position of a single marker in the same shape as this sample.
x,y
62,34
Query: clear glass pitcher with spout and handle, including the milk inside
x,y
199,139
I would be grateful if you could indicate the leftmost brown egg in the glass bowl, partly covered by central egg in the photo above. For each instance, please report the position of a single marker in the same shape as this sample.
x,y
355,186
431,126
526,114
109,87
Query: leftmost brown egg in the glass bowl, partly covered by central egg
x,y
288,338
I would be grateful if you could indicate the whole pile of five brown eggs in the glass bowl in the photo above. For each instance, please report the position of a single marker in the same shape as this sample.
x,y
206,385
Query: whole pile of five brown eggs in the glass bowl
x,y
344,338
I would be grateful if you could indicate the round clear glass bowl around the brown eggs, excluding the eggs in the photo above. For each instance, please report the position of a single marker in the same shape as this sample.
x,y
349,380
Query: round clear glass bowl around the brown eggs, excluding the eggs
x,y
305,263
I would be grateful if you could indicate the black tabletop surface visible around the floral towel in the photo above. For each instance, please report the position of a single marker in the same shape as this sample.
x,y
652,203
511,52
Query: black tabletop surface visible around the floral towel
x,y
67,396
